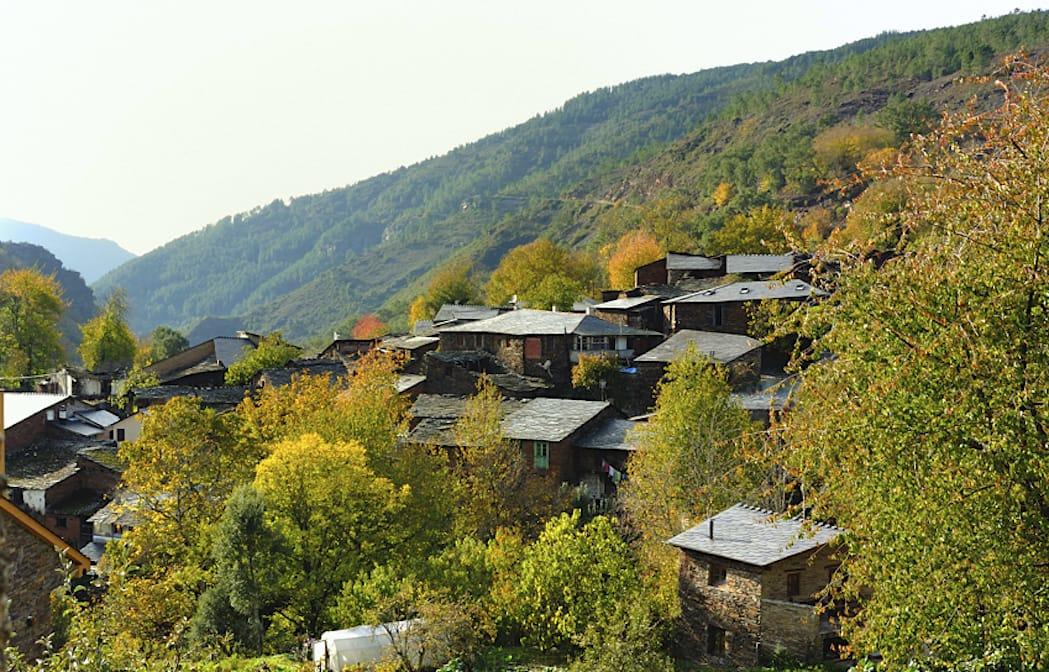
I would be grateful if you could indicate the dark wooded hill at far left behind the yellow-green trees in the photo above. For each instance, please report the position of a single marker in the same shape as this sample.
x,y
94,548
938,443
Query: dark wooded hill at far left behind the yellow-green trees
x,y
79,298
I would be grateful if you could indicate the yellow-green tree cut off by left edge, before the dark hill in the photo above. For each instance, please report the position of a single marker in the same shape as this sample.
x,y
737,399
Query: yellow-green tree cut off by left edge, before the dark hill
x,y
31,307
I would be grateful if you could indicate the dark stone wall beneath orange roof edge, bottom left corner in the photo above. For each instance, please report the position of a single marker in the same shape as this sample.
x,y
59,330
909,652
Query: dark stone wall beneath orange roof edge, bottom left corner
x,y
35,575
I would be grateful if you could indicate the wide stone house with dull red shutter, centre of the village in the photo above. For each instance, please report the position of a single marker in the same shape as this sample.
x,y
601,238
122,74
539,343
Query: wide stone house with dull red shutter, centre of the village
x,y
546,344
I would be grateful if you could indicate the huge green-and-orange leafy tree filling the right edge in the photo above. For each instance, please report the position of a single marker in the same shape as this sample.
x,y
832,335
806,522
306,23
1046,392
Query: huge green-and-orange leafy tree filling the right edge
x,y
927,436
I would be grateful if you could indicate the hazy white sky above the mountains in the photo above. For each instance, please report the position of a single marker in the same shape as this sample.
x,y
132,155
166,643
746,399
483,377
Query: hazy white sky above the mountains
x,y
142,121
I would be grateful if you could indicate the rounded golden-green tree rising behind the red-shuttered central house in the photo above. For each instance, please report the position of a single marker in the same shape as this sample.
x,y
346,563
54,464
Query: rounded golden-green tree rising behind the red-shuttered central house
x,y
543,275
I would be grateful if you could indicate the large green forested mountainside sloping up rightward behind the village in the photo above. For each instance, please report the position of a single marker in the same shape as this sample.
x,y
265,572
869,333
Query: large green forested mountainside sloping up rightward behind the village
x,y
580,175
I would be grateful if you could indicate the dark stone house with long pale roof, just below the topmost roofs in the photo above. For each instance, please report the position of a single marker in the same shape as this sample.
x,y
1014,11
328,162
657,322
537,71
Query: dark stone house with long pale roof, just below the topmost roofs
x,y
727,309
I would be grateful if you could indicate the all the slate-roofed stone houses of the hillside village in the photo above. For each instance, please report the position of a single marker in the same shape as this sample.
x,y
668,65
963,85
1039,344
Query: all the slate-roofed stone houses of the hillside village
x,y
750,579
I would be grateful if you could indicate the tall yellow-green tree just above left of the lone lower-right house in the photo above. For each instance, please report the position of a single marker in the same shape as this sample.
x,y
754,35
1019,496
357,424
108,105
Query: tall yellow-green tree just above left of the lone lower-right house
x,y
691,461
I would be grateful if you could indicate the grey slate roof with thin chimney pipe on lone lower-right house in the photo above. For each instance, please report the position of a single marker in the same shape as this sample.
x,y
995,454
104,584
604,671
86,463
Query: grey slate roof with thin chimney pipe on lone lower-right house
x,y
755,536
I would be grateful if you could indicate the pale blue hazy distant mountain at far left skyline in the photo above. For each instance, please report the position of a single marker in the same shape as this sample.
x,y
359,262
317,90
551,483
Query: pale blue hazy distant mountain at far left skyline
x,y
91,257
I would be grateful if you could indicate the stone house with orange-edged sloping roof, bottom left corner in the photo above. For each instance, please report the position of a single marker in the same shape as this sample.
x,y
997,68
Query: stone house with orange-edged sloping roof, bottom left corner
x,y
35,574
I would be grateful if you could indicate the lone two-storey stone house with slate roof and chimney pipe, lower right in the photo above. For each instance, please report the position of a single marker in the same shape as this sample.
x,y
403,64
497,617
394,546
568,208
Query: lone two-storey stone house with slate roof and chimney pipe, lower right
x,y
750,584
